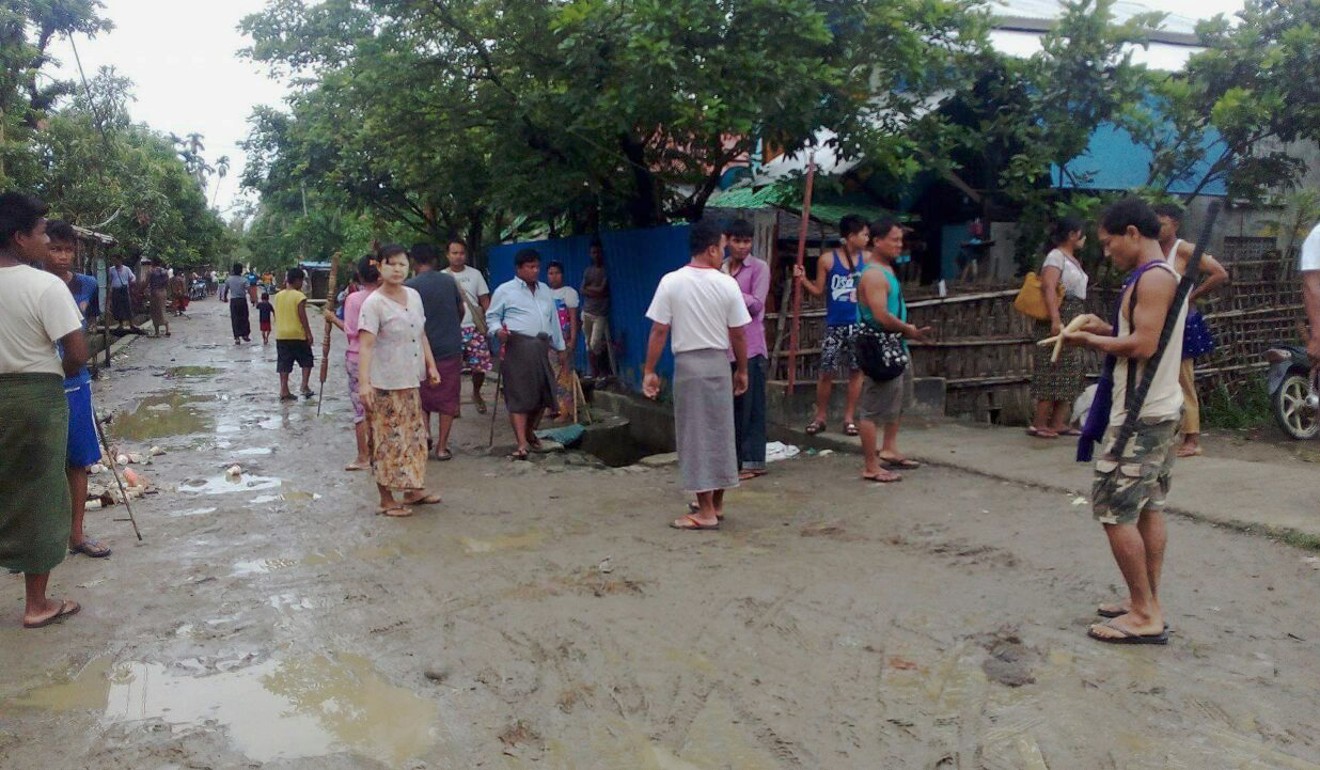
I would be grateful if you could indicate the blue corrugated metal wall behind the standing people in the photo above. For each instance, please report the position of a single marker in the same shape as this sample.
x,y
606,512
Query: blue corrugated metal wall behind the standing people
x,y
634,262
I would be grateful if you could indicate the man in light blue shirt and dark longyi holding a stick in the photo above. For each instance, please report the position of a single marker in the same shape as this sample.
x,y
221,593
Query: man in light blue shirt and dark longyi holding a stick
x,y
529,327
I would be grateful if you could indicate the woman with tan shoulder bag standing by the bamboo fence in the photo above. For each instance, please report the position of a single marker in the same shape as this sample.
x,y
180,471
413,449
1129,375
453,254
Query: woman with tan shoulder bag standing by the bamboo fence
x,y
1055,385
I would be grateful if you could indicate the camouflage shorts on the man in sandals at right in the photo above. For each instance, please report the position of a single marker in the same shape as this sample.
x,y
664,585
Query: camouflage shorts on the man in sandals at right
x,y
1141,480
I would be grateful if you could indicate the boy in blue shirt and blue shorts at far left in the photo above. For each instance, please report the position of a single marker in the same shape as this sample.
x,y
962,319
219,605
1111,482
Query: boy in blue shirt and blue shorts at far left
x,y
82,450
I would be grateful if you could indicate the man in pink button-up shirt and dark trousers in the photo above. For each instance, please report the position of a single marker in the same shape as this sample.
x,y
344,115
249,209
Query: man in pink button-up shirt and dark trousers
x,y
753,278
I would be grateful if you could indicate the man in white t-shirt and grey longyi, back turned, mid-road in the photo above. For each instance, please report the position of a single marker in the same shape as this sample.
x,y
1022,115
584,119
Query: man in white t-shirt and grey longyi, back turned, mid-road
x,y
706,311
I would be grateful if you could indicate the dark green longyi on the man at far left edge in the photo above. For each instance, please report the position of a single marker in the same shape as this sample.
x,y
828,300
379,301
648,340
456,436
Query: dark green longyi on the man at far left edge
x,y
35,504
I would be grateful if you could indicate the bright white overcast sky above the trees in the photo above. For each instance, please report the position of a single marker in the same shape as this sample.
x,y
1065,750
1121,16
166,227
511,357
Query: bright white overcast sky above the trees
x,y
183,59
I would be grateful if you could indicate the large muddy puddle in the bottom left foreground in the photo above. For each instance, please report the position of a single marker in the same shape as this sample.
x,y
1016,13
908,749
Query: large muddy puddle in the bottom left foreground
x,y
280,710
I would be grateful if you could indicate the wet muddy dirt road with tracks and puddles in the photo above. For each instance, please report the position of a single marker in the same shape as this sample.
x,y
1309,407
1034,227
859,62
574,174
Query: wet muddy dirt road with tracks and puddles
x,y
546,617
